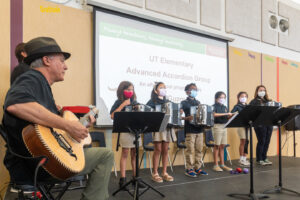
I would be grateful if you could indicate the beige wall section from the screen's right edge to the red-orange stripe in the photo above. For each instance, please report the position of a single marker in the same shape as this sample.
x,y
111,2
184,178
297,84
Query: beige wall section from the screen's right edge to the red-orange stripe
x,y
247,70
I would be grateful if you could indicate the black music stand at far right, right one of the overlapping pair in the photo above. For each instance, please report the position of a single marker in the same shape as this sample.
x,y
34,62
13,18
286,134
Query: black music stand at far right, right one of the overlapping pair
x,y
280,118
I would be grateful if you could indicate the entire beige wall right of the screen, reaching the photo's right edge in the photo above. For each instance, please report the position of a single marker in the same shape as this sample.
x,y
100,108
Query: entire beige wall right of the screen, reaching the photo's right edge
x,y
247,70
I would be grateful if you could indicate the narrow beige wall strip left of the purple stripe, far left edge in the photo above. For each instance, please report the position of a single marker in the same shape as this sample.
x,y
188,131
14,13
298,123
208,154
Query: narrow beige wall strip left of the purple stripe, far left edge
x,y
4,79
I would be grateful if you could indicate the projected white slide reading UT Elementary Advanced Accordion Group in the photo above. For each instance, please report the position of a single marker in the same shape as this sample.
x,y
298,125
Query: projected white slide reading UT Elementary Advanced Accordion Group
x,y
143,53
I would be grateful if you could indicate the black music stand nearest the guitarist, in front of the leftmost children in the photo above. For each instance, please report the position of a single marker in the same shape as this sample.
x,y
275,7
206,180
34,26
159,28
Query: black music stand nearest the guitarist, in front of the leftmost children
x,y
137,123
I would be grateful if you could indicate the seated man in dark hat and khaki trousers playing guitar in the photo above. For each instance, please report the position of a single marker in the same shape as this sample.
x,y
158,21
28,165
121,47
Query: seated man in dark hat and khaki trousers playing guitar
x,y
30,101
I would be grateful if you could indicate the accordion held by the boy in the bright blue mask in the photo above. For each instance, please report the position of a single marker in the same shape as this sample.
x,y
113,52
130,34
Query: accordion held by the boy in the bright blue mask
x,y
202,115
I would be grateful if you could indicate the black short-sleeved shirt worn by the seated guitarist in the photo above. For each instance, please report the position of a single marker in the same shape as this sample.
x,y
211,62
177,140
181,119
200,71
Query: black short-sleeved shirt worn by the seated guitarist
x,y
31,86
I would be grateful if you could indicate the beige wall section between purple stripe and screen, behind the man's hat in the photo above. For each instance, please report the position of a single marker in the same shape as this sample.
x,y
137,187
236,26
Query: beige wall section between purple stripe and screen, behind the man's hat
x,y
72,28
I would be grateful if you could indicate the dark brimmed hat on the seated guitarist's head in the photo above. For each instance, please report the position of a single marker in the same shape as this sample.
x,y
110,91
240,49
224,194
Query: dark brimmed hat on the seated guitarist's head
x,y
42,46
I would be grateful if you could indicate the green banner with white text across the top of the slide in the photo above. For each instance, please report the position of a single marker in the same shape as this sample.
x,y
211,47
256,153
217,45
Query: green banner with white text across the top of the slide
x,y
116,31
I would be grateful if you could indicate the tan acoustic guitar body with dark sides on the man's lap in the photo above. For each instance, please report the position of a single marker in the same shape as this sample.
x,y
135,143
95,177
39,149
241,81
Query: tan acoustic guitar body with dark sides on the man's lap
x,y
65,155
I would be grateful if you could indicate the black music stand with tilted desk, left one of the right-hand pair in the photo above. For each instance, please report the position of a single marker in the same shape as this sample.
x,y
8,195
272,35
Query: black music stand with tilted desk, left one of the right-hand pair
x,y
246,118
